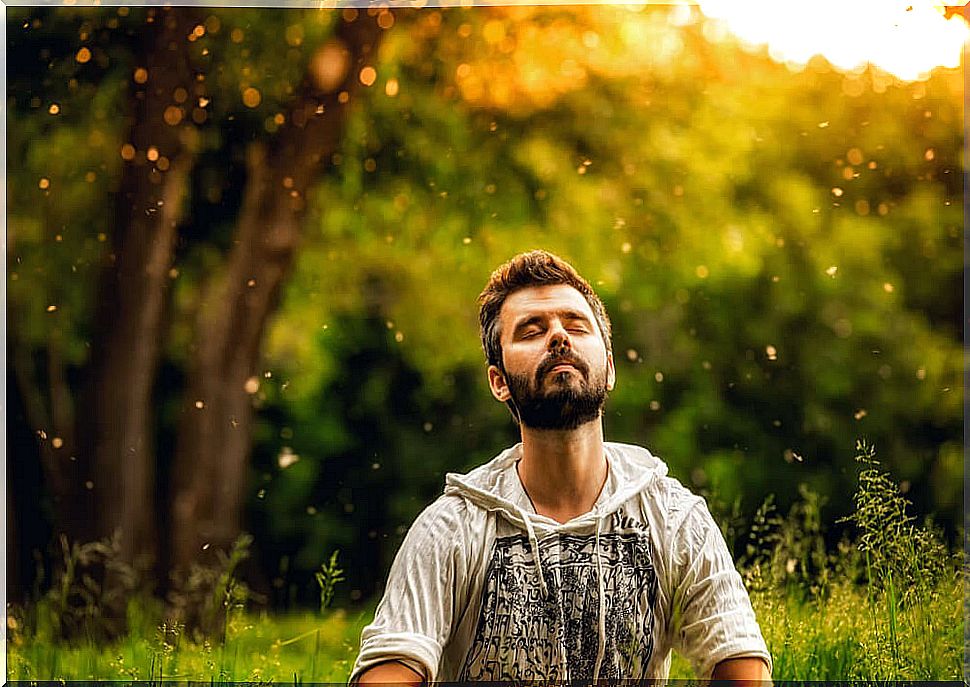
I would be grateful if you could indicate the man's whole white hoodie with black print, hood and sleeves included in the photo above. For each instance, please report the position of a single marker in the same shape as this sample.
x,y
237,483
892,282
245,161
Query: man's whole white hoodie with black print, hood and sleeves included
x,y
611,592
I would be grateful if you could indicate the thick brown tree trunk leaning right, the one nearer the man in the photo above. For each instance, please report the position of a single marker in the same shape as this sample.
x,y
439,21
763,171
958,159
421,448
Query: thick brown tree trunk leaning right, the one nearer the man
x,y
214,440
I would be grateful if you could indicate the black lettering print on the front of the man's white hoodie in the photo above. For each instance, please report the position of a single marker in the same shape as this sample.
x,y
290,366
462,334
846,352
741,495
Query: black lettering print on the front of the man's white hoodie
x,y
523,636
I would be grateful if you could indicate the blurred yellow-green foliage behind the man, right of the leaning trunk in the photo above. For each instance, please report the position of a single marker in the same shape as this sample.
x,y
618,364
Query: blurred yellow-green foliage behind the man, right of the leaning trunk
x,y
414,218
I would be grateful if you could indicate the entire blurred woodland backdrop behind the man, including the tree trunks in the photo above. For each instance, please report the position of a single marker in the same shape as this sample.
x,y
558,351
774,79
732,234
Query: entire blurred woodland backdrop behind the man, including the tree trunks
x,y
244,250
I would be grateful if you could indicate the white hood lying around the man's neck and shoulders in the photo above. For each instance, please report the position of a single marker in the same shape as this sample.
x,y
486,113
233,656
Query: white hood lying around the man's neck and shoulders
x,y
495,486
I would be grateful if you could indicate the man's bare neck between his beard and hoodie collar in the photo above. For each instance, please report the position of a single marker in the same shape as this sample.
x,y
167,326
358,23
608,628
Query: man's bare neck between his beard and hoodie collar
x,y
563,471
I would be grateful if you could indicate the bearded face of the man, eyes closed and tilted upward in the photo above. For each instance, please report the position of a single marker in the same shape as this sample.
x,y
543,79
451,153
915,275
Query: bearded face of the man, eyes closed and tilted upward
x,y
557,371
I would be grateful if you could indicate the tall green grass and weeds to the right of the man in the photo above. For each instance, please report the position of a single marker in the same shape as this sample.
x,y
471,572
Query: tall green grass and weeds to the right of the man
x,y
884,605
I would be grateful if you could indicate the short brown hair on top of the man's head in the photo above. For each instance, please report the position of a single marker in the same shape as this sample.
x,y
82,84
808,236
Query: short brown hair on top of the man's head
x,y
535,268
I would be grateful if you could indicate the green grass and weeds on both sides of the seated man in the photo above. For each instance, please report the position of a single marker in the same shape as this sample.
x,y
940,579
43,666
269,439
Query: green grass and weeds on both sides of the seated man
x,y
886,605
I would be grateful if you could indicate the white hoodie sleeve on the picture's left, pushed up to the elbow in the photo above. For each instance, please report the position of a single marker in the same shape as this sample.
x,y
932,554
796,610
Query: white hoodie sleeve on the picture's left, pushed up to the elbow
x,y
414,619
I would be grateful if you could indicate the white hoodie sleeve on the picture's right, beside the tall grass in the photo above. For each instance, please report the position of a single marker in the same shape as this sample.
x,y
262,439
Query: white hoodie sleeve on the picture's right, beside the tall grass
x,y
712,618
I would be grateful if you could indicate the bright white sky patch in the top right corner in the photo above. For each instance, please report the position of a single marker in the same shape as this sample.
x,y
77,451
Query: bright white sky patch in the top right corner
x,y
904,37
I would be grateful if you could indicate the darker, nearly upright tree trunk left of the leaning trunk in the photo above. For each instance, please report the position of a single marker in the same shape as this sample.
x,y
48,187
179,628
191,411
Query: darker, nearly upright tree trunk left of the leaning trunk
x,y
159,154
